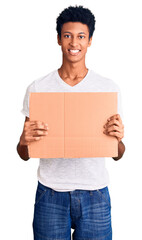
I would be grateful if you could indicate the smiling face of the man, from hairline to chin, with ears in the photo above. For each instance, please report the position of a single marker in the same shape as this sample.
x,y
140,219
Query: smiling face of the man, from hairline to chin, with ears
x,y
74,41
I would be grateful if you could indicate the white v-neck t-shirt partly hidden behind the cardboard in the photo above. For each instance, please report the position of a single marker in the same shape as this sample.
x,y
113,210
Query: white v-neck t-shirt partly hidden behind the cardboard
x,y
68,174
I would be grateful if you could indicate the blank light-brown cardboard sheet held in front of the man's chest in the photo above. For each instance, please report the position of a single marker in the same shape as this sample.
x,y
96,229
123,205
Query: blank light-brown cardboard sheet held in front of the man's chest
x,y
75,121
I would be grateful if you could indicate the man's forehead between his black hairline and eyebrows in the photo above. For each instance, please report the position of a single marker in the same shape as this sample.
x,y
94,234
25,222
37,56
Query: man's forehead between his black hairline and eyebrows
x,y
75,27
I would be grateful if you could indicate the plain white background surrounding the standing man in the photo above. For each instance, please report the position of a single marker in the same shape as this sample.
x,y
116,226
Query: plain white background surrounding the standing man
x,y
28,51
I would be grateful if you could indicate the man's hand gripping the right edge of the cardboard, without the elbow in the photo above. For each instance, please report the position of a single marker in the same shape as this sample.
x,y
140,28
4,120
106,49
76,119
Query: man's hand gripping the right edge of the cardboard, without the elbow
x,y
114,127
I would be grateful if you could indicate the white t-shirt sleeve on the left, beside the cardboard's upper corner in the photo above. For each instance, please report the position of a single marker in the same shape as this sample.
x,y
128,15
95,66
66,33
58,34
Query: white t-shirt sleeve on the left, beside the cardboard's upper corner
x,y
25,109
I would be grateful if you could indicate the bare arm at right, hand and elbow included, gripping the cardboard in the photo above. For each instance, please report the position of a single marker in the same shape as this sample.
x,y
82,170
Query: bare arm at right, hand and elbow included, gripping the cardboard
x,y
114,127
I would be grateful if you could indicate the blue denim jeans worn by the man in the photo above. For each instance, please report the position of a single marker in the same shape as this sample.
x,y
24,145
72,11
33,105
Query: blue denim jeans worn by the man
x,y
88,212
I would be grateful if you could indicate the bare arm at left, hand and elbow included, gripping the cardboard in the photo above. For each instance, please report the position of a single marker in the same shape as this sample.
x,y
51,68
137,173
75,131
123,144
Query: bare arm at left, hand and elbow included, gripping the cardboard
x,y
32,131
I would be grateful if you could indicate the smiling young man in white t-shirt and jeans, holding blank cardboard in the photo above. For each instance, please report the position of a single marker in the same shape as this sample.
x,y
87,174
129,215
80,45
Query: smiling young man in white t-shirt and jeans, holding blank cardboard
x,y
72,193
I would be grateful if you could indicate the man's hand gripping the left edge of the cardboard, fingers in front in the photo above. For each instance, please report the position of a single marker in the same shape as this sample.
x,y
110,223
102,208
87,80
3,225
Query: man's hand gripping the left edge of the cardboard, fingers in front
x,y
33,131
